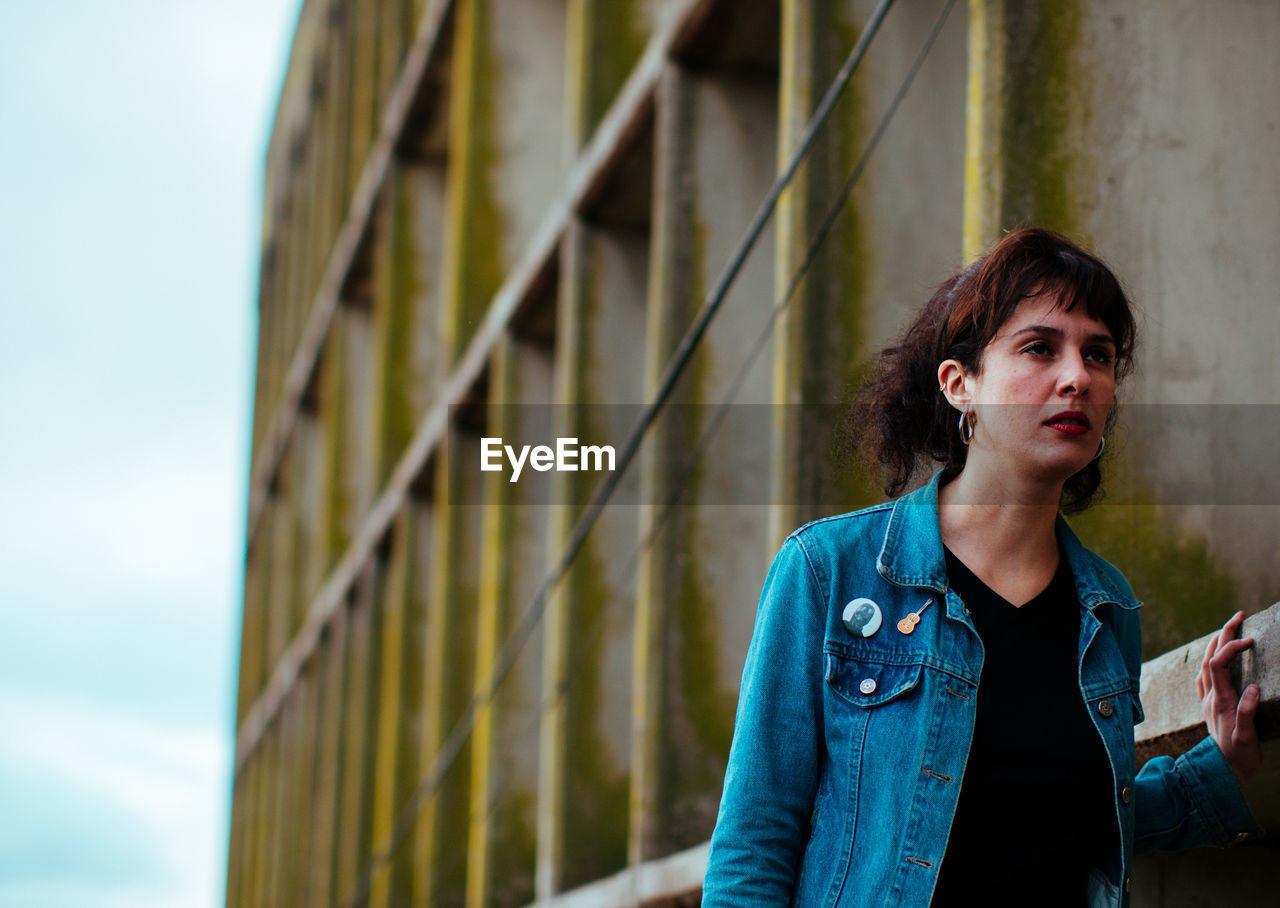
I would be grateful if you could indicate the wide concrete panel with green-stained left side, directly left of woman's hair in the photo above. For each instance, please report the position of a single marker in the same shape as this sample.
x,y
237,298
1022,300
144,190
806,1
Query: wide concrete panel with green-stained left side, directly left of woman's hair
x,y
897,236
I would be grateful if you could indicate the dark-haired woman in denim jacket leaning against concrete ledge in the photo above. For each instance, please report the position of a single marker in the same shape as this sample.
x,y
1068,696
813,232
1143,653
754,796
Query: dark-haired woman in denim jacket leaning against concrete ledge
x,y
939,701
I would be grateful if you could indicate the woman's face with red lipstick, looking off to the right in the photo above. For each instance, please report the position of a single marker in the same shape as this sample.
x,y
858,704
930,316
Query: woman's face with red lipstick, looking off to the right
x,y
1044,391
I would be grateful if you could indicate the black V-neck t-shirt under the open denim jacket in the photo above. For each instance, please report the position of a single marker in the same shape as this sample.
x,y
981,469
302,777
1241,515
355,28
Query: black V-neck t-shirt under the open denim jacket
x,y
1036,806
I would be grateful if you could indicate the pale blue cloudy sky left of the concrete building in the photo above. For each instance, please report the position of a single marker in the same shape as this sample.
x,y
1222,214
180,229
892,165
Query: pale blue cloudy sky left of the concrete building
x,y
132,139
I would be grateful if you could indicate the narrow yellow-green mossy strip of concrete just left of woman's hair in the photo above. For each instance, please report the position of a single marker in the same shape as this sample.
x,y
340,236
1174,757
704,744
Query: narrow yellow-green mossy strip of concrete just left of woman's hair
x,y
822,337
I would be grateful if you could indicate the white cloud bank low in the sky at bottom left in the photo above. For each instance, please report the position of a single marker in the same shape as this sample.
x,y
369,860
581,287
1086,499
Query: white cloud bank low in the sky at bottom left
x,y
129,807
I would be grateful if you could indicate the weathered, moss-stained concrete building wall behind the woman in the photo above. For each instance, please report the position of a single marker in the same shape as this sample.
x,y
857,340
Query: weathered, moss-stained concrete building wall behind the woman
x,y
500,217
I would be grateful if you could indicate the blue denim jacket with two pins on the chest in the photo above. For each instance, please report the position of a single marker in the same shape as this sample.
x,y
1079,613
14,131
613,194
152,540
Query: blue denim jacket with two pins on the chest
x,y
849,751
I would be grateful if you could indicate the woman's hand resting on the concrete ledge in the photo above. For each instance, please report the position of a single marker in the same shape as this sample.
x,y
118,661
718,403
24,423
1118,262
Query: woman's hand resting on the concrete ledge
x,y
1231,718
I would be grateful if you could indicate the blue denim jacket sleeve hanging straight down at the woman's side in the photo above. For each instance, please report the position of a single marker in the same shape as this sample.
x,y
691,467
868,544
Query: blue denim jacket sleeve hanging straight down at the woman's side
x,y
772,773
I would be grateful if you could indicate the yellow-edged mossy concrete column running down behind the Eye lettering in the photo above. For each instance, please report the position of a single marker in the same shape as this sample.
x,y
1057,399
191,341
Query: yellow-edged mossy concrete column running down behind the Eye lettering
x,y
502,846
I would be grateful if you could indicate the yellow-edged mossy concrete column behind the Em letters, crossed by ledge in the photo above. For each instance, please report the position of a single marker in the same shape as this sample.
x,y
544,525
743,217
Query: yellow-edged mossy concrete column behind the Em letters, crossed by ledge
x,y
586,749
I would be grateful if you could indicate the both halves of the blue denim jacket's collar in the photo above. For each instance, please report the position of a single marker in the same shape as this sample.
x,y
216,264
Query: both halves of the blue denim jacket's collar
x,y
913,556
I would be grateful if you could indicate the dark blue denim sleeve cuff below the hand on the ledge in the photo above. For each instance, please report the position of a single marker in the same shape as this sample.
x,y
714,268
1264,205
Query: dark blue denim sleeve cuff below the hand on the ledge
x,y
1188,802
